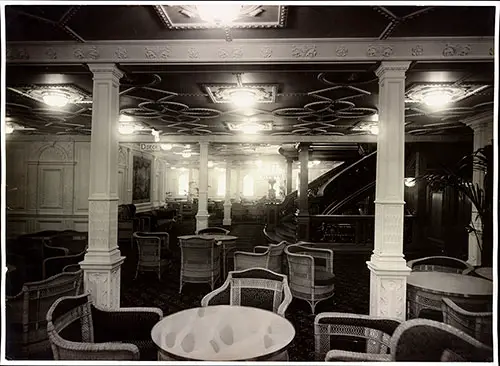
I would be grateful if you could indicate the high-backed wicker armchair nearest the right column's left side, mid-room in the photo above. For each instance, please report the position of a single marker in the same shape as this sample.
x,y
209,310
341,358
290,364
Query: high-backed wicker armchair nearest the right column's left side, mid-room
x,y
310,273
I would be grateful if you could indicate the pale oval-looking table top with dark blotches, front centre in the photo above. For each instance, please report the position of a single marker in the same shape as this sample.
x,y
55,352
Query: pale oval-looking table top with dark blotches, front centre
x,y
223,333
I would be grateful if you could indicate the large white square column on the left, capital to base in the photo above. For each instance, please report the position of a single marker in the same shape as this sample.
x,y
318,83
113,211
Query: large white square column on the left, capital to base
x,y
103,260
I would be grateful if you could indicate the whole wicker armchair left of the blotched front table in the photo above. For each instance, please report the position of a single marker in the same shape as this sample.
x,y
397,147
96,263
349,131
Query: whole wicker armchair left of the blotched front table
x,y
78,330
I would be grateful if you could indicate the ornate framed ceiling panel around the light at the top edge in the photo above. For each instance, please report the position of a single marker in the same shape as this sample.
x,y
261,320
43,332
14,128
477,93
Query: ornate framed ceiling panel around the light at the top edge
x,y
251,16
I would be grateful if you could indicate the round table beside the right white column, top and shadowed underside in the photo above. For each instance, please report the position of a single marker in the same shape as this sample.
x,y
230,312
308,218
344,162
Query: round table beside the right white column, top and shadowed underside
x,y
427,289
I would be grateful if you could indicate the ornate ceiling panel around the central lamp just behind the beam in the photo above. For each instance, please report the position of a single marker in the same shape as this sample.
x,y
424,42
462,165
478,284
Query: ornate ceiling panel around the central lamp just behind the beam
x,y
220,93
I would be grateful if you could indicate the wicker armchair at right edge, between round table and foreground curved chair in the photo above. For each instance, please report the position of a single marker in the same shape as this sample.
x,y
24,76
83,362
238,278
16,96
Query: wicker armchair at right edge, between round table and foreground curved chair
x,y
473,319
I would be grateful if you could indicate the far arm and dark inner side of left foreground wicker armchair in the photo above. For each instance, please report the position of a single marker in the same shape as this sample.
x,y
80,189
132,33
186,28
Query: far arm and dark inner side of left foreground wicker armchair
x,y
124,323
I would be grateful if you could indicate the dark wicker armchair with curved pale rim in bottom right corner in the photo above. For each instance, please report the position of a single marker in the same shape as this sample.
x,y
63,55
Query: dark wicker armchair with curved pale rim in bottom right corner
x,y
423,340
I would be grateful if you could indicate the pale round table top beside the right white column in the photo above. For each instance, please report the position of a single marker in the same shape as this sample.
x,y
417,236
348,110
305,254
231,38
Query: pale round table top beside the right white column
x,y
451,283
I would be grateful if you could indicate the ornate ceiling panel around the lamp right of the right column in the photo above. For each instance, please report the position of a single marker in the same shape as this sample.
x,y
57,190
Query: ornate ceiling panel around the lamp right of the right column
x,y
416,92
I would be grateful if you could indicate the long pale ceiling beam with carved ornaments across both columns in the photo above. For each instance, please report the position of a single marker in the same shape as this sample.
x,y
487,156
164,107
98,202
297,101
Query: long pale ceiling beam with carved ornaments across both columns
x,y
301,50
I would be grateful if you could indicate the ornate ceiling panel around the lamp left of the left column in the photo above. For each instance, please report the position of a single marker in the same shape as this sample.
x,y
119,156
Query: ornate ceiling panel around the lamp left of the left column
x,y
36,91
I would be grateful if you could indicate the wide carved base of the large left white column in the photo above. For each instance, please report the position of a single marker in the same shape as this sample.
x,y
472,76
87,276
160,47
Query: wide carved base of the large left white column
x,y
101,277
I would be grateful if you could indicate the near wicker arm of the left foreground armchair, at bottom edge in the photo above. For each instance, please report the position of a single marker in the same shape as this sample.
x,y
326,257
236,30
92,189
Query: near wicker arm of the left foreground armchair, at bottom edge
x,y
96,351
